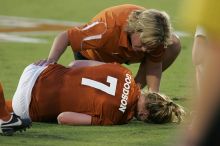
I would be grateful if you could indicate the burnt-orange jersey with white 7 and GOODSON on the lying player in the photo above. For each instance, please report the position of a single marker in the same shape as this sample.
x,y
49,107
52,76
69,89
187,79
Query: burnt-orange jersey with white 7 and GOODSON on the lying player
x,y
106,92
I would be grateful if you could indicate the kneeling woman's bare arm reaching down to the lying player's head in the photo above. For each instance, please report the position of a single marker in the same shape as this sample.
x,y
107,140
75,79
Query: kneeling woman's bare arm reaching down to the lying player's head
x,y
149,72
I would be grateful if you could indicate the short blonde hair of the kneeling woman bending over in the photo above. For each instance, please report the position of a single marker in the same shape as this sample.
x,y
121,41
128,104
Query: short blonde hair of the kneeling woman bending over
x,y
154,27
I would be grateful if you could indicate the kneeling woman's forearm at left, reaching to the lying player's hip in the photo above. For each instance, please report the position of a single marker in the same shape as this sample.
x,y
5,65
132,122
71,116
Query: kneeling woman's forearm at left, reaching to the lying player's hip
x,y
59,46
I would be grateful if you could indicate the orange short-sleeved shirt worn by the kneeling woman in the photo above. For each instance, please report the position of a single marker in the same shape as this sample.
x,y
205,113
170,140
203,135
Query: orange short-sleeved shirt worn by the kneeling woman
x,y
104,38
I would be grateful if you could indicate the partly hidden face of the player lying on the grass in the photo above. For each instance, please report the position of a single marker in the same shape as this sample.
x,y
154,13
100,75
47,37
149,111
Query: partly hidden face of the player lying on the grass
x,y
142,112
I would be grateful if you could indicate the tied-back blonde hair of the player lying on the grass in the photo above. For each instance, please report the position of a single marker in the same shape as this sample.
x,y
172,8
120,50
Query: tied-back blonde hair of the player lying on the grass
x,y
162,109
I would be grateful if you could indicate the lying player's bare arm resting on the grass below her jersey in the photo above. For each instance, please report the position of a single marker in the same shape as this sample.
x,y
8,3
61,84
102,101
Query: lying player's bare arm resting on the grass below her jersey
x,y
73,118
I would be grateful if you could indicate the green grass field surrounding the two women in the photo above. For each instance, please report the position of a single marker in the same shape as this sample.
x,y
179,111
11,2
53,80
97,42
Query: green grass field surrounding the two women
x,y
14,57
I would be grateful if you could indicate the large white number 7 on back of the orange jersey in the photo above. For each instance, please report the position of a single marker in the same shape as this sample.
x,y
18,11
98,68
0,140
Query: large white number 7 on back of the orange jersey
x,y
107,89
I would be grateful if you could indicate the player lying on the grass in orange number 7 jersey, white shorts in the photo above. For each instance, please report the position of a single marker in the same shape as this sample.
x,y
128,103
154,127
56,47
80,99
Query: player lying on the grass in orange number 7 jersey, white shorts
x,y
87,93
